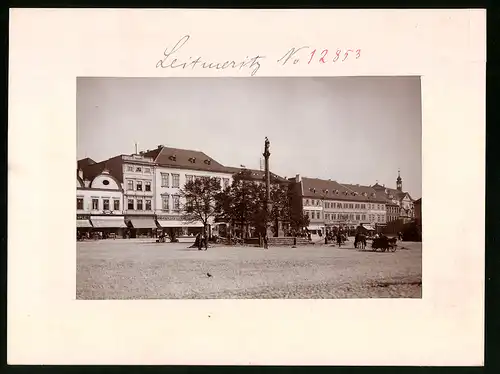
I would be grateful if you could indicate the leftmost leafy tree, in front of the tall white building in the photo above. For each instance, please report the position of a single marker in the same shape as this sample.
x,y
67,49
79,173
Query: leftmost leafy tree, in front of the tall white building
x,y
199,198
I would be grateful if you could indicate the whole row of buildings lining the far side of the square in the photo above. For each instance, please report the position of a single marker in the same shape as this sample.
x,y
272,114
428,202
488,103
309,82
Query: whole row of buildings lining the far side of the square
x,y
134,195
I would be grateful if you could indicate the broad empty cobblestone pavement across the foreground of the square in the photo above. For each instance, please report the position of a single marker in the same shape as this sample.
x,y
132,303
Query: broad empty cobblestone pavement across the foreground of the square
x,y
121,269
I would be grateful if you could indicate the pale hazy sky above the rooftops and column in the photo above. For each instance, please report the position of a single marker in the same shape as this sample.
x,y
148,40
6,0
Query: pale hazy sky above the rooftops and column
x,y
348,129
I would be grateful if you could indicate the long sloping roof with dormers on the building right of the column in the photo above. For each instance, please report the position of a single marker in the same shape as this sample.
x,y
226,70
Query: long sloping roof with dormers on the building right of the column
x,y
328,189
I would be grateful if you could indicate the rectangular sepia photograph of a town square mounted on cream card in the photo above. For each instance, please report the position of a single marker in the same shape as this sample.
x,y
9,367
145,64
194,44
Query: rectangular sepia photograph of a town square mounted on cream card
x,y
249,188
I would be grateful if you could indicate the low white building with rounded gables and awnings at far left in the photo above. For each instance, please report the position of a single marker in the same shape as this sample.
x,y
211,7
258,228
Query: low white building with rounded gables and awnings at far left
x,y
99,203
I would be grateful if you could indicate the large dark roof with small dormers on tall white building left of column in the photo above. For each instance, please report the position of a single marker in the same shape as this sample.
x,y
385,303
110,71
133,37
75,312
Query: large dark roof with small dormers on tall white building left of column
x,y
184,159
